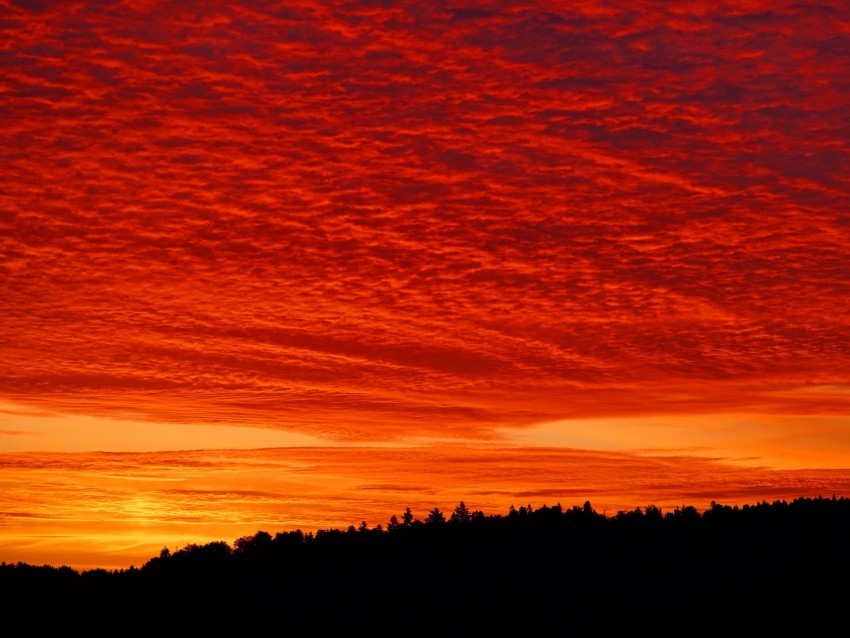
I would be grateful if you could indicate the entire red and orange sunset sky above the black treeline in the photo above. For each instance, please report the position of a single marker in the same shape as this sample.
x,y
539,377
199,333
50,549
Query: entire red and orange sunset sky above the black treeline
x,y
279,265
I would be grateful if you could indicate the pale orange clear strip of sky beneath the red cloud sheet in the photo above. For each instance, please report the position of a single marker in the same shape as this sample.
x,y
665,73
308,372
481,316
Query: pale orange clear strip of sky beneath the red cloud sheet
x,y
735,439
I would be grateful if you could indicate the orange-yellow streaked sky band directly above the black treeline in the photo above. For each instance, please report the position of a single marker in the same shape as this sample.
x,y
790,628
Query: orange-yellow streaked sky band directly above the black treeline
x,y
115,510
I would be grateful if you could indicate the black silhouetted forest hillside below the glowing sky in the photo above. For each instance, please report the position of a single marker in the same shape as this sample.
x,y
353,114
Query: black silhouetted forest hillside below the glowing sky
x,y
765,568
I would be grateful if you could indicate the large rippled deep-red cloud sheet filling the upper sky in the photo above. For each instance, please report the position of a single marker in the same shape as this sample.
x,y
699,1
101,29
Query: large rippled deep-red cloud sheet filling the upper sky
x,y
383,220
